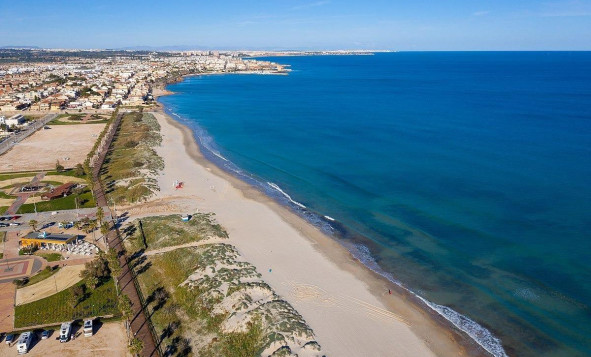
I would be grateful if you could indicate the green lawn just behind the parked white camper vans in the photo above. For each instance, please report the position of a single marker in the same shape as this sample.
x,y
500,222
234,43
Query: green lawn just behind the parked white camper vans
x,y
55,308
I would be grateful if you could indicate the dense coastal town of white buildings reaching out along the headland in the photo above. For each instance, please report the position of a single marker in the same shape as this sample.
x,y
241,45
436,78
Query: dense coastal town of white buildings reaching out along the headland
x,y
85,83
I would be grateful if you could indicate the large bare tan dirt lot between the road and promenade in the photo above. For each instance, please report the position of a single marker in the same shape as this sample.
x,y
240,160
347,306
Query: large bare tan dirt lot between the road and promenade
x,y
41,150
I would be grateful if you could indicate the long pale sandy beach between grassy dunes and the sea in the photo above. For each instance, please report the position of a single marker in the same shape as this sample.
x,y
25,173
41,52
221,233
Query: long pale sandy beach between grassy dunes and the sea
x,y
346,304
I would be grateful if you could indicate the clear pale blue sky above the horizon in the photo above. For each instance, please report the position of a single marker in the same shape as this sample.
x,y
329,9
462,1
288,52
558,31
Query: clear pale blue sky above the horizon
x,y
300,24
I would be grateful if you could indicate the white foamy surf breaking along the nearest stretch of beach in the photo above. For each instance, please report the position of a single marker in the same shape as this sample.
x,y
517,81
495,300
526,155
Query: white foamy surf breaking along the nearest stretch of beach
x,y
478,333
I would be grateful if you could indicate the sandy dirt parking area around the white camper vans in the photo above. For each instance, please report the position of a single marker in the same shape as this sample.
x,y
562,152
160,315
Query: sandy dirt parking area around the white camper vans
x,y
109,339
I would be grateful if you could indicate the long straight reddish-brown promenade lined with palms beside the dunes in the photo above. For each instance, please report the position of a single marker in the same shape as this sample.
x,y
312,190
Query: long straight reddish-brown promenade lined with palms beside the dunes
x,y
140,324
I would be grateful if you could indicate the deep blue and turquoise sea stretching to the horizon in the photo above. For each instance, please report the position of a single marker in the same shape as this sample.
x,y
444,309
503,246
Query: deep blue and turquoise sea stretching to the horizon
x,y
464,176
